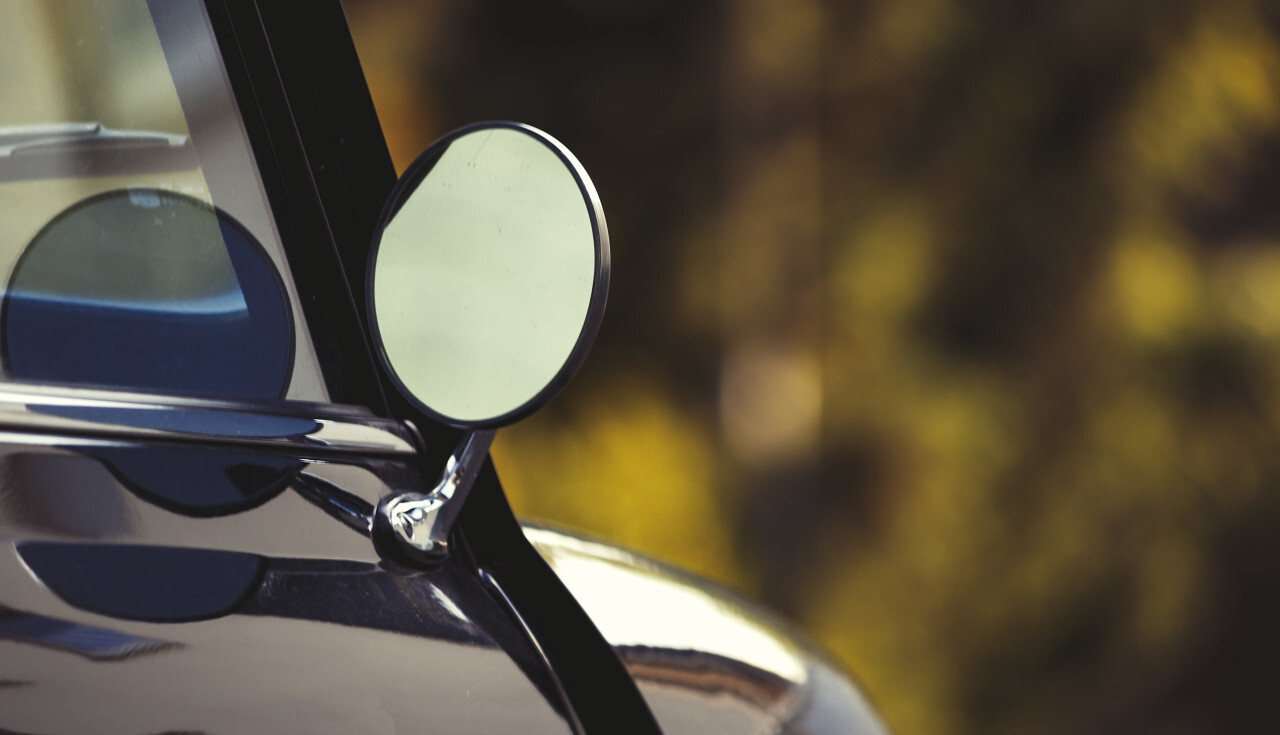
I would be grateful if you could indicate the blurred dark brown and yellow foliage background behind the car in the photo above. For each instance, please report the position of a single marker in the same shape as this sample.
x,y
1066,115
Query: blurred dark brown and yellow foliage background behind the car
x,y
952,331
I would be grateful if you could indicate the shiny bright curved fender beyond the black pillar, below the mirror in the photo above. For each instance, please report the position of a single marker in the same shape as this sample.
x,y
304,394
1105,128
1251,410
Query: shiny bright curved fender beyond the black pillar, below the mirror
x,y
705,660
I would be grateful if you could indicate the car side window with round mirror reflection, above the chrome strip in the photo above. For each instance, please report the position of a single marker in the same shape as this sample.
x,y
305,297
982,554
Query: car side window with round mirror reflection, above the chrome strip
x,y
138,246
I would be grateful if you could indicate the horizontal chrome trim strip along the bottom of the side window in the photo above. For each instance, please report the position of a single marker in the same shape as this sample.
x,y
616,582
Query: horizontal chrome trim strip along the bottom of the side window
x,y
300,428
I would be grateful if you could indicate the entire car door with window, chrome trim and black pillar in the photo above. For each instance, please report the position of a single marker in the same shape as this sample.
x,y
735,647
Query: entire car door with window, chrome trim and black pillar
x,y
193,432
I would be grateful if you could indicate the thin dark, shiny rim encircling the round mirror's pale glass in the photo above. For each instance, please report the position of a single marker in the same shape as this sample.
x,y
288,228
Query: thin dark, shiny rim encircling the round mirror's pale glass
x,y
405,188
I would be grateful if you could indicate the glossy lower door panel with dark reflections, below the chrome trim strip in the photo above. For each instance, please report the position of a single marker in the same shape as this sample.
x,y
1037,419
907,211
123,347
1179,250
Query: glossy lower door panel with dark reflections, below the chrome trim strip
x,y
276,619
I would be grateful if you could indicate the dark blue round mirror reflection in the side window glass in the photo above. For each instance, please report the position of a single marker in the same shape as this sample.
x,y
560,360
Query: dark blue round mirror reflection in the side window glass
x,y
149,291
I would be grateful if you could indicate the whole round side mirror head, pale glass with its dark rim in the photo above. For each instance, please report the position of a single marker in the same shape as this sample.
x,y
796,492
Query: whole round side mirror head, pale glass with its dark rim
x,y
490,275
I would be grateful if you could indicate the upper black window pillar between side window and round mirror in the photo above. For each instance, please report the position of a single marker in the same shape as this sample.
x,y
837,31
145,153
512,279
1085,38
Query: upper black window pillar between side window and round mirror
x,y
300,90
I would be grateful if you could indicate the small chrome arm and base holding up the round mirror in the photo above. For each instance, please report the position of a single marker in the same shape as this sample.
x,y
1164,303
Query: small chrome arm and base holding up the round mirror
x,y
419,524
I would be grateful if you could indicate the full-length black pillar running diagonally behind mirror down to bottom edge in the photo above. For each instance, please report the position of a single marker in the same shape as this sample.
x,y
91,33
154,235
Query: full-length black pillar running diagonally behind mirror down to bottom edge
x,y
327,172
